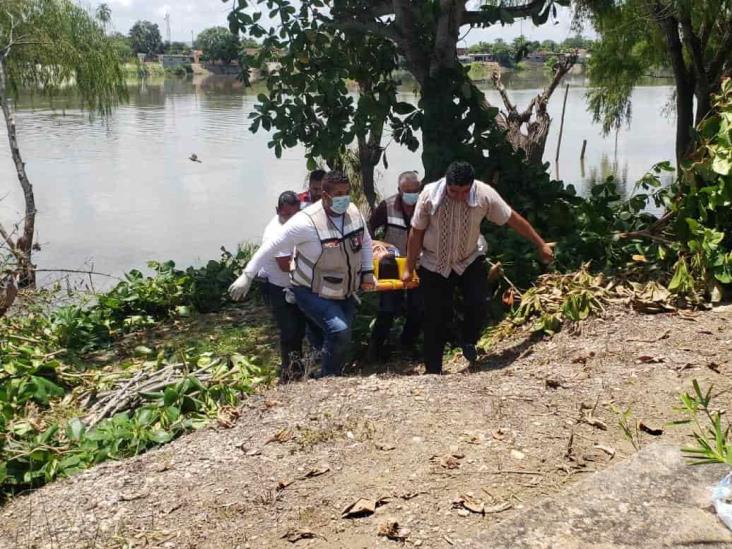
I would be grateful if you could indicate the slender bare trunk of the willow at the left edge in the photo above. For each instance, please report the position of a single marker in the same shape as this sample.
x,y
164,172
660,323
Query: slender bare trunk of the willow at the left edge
x,y
23,247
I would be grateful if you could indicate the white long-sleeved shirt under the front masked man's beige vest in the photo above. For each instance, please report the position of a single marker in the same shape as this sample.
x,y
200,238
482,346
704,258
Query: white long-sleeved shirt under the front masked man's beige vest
x,y
300,232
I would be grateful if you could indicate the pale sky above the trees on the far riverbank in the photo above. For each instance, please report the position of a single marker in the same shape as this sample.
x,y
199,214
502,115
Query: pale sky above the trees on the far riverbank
x,y
192,16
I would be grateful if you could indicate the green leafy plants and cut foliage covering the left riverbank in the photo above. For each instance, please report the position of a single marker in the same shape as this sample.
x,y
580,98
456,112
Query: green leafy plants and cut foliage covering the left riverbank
x,y
43,375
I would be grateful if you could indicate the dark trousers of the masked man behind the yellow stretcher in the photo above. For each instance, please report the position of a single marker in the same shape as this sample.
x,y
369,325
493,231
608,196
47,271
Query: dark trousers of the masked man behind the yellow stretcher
x,y
391,305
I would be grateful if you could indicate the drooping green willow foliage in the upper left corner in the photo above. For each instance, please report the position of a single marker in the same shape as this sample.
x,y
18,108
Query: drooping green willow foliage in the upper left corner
x,y
54,43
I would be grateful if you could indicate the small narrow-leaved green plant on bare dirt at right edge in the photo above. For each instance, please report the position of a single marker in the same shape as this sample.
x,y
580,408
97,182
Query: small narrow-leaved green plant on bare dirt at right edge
x,y
712,443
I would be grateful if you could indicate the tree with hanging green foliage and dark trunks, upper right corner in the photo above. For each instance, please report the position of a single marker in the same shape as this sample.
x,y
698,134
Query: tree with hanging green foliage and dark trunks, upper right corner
x,y
694,39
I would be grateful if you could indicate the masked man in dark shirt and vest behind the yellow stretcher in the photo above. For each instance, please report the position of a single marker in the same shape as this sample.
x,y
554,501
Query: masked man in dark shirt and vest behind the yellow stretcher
x,y
394,216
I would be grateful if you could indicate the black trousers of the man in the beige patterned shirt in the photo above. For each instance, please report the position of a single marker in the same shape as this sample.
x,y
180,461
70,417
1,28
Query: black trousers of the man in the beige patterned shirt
x,y
438,293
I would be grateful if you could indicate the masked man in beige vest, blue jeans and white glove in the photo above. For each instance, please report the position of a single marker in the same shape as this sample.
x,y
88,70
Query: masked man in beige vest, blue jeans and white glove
x,y
332,260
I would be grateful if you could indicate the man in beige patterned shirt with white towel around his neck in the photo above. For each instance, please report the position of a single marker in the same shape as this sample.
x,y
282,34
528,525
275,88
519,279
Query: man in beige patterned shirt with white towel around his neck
x,y
445,238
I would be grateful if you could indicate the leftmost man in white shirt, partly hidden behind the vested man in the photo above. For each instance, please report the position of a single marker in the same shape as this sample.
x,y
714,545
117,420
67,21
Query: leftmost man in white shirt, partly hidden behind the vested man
x,y
276,271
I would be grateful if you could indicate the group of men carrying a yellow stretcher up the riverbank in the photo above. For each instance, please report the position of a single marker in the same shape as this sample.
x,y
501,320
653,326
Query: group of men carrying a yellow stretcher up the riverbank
x,y
318,251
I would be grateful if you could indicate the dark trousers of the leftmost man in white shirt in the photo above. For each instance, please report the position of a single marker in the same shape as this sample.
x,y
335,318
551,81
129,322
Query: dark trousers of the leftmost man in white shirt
x,y
292,323
